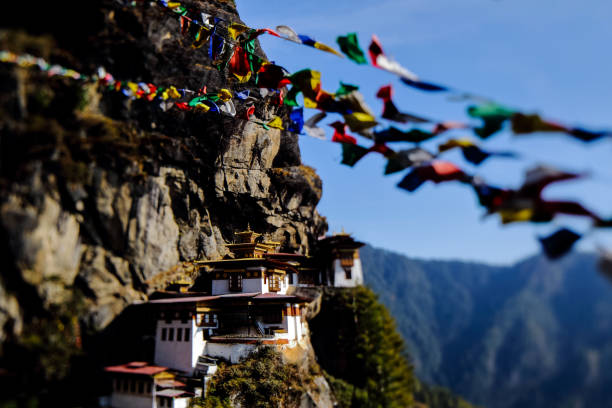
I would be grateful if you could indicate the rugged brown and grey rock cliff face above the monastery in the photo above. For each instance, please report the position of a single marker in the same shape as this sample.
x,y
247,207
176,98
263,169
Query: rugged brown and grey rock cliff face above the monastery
x,y
104,199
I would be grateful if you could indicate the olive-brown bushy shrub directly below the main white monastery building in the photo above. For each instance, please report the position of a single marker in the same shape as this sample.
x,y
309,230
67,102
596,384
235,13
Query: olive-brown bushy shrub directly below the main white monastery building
x,y
261,380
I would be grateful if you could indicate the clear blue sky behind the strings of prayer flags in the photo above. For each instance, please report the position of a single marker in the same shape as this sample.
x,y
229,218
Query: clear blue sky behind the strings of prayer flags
x,y
549,57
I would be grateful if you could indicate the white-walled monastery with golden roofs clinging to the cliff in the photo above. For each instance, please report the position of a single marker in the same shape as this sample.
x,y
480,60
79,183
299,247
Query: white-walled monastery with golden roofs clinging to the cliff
x,y
235,305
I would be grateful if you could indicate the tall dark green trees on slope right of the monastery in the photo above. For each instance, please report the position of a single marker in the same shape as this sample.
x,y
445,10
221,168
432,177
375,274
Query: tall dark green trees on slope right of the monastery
x,y
357,344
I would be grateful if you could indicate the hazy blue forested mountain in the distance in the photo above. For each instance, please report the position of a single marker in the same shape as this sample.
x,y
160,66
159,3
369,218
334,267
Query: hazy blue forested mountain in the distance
x,y
535,334
